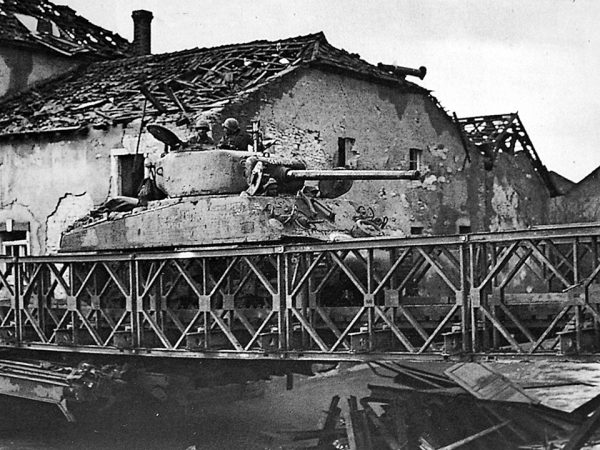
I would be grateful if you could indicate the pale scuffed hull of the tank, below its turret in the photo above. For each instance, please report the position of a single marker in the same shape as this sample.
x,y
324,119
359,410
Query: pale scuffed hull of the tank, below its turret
x,y
207,220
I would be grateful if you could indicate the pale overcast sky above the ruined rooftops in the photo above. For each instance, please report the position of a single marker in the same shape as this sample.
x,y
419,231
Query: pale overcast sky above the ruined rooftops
x,y
538,57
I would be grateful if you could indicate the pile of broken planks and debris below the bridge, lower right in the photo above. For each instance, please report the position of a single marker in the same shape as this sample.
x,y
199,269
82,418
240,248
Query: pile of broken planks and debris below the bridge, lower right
x,y
470,406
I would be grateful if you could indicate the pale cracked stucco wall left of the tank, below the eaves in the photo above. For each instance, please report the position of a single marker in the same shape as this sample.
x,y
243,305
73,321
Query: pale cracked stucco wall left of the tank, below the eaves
x,y
36,177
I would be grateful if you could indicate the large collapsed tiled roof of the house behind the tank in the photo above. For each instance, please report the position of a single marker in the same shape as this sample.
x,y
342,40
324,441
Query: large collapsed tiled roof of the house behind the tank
x,y
197,80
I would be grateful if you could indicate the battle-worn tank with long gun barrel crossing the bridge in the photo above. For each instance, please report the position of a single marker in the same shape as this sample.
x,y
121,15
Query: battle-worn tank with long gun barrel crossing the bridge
x,y
198,195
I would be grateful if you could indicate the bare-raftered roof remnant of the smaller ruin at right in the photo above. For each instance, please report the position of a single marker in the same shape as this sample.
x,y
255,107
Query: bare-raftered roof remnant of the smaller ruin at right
x,y
504,133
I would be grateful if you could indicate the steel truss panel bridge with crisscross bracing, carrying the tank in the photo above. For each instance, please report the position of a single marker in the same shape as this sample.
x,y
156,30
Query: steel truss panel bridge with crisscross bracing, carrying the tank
x,y
530,292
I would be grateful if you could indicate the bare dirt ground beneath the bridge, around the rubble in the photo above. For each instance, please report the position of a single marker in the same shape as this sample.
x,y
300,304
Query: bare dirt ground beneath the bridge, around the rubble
x,y
250,418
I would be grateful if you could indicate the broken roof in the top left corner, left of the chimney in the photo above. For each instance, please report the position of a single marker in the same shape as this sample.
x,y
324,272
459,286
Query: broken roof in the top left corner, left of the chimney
x,y
56,28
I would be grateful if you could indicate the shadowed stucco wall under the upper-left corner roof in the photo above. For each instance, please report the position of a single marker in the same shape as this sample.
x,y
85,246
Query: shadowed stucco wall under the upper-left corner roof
x,y
21,68
